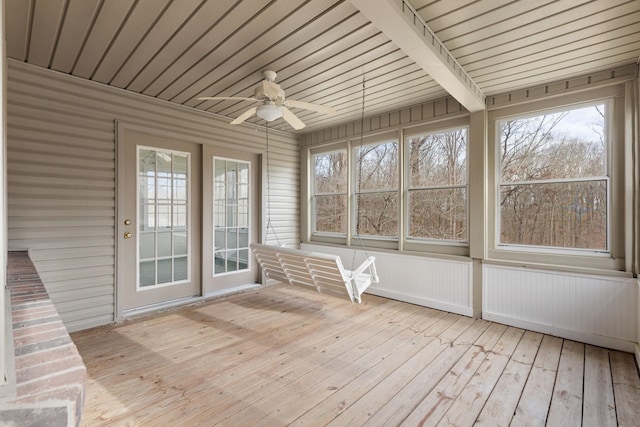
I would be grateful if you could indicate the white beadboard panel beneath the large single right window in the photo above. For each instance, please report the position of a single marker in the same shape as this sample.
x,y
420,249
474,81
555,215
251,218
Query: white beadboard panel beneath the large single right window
x,y
594,309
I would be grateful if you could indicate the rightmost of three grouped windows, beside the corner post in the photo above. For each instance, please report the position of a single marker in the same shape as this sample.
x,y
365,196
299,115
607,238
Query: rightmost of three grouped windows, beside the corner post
x,y
437,185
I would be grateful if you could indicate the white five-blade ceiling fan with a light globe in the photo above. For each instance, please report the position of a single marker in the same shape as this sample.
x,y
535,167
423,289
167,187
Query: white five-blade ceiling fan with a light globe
x,y
273,103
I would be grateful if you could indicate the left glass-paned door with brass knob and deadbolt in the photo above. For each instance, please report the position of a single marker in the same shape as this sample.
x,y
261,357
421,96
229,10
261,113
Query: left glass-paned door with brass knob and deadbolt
x,y
159,242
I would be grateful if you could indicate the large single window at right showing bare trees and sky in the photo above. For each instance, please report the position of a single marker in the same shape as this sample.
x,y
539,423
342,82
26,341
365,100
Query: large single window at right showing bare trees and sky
x,y
553,183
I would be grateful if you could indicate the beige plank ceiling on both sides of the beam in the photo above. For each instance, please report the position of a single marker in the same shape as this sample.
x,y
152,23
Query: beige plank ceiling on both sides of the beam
x,y
178,50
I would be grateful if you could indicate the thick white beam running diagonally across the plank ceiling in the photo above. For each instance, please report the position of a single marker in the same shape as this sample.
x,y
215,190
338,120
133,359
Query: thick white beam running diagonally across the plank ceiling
x,y
399,21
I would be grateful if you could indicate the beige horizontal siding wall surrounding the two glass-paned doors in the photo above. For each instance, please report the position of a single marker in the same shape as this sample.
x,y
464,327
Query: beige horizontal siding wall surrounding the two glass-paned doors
x,y
62,171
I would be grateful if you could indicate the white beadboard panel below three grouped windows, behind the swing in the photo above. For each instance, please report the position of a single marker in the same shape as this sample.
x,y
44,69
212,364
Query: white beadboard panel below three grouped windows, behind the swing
x,y
431,282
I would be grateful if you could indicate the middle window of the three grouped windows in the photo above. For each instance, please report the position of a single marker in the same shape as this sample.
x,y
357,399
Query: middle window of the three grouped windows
x,y
376,190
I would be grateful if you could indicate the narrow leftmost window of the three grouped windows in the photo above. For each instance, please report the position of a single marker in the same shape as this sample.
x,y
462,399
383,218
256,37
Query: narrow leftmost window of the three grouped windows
x,y
330,192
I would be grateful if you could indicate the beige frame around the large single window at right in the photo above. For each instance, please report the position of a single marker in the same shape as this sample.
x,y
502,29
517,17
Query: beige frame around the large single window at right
x,y
613,258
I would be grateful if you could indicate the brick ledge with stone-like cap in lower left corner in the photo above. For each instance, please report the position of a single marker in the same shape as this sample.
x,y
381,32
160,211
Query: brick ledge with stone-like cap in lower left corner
x,y
50,374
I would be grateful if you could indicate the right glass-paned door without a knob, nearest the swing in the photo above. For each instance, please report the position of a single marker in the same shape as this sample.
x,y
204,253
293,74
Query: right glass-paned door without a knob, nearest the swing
x,y
230,218
